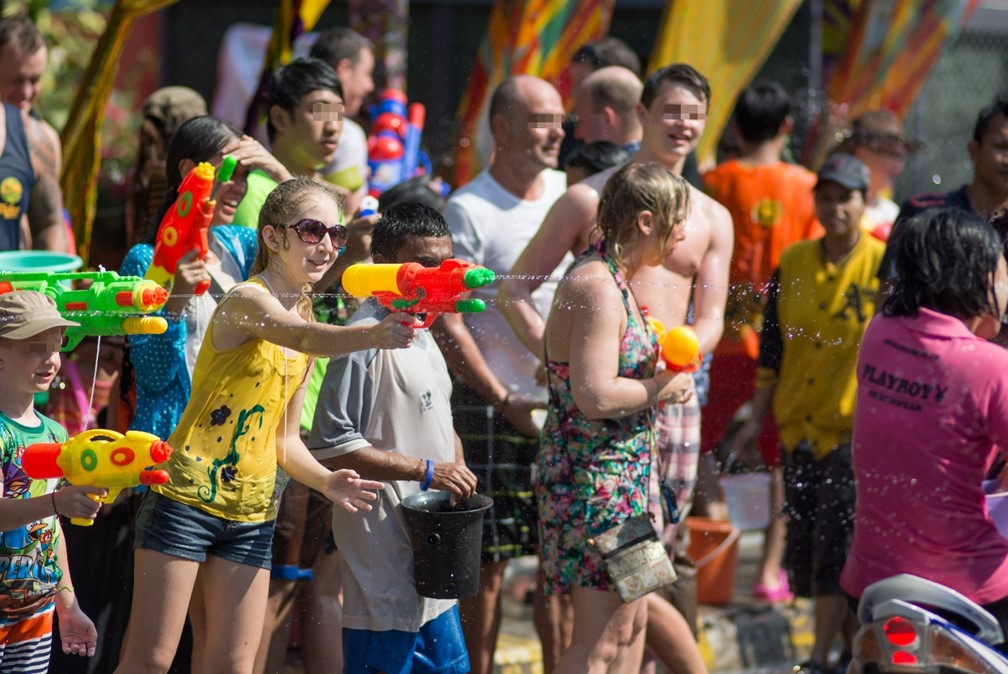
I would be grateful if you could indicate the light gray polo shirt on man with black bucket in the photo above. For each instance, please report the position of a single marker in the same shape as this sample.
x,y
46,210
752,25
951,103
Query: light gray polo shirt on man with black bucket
x,y
396,400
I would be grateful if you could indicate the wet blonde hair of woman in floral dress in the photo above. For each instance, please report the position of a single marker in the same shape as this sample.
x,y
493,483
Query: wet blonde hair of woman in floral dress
x,y
636,188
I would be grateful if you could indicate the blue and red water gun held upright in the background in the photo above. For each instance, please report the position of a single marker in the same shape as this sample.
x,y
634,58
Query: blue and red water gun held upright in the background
x,y
395,144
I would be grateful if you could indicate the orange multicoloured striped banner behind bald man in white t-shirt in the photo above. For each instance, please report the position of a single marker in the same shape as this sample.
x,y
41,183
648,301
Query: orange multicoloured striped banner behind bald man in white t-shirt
x,y
525,37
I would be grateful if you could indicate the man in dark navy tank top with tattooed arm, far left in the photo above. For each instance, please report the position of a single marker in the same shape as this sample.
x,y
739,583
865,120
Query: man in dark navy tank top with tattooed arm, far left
x,y
31,198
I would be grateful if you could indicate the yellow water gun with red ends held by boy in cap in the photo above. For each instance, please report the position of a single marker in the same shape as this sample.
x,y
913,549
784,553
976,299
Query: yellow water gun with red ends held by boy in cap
x,y
100,458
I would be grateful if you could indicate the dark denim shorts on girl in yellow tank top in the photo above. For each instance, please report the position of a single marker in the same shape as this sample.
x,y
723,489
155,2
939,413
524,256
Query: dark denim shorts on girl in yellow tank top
x,y
174,528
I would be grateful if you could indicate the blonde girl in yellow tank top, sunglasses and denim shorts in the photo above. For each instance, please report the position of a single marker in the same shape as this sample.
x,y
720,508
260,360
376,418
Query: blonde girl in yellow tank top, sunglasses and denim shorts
x,y
203,542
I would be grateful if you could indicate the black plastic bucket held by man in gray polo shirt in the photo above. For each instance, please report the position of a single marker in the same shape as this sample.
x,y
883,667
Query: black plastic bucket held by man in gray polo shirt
x,y
447,542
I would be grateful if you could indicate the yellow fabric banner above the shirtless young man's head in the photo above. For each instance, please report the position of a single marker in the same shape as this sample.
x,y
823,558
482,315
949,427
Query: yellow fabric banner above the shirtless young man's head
x,y
728,42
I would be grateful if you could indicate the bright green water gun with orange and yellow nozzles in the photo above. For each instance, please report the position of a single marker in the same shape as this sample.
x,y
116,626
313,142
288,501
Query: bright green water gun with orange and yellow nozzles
x,y
107,304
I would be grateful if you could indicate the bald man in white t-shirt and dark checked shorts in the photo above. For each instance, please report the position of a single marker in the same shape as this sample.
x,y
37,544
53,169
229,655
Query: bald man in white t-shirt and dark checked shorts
x,y
491,220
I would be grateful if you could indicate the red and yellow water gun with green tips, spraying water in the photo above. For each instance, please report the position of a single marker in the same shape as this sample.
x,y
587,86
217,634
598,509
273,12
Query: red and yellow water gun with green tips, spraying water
x,y
418,290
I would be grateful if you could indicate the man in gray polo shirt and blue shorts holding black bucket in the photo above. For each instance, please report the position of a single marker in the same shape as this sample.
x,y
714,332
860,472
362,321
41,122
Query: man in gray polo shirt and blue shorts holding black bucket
x,y
388,416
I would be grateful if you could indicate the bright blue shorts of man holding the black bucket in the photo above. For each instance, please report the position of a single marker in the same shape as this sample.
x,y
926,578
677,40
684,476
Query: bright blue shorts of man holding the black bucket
x,y
439,648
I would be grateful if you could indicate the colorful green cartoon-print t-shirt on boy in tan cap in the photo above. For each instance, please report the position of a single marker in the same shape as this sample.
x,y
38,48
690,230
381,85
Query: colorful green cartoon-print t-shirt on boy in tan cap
x,y
29,571
